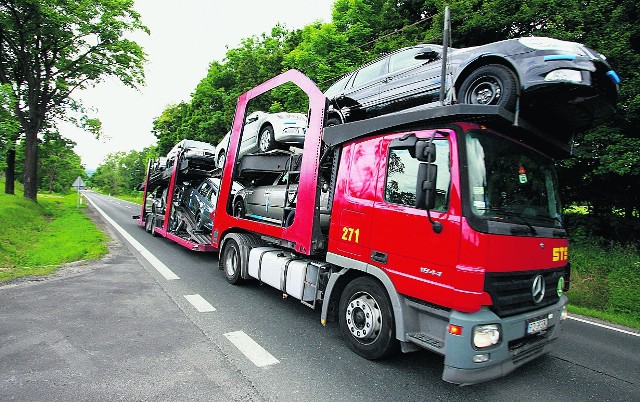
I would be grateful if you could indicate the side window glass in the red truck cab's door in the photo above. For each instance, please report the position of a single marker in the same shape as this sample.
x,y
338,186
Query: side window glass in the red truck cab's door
x,y
402,172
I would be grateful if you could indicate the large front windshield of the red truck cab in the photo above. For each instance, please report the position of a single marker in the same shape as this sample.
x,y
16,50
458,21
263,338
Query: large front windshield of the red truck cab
x,y
510,183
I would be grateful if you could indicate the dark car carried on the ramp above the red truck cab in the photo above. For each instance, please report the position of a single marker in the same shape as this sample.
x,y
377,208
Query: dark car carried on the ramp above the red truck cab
x,y
558,81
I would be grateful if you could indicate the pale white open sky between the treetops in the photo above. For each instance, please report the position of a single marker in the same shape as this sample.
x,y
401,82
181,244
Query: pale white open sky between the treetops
x,y
186,36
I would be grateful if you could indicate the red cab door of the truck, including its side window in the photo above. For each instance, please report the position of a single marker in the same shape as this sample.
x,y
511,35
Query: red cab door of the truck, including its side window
x,y
419,261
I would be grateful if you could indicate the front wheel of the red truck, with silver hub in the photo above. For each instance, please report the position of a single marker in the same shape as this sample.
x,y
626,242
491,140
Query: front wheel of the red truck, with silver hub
x,y
366,319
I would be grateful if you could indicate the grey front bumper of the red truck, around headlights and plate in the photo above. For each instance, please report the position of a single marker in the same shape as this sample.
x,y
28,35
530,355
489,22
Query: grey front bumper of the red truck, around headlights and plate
x,y
515,348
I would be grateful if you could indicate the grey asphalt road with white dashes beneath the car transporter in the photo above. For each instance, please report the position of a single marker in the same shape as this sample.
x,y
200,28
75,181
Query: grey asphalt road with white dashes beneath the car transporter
x,y
119,329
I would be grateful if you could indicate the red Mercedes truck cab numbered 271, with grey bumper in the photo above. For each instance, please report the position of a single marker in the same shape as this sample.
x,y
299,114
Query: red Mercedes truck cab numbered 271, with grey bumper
x,y
479,275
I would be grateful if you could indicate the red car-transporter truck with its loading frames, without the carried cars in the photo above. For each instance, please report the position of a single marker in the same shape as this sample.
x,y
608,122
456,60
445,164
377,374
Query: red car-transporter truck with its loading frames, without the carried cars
x,y
444,232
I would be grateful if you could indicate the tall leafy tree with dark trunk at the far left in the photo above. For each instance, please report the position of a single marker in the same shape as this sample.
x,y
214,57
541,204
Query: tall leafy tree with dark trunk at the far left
x,y
49,49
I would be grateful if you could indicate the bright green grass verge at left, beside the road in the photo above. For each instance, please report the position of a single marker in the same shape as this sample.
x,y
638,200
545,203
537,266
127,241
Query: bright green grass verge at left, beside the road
x,y
37,238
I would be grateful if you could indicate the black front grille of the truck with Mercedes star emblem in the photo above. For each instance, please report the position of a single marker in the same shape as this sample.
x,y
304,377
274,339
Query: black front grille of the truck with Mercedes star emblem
x,y
511,291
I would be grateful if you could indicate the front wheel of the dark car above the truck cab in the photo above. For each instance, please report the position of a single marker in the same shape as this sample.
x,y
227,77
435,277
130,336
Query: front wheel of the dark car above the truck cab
x,y
490,85
